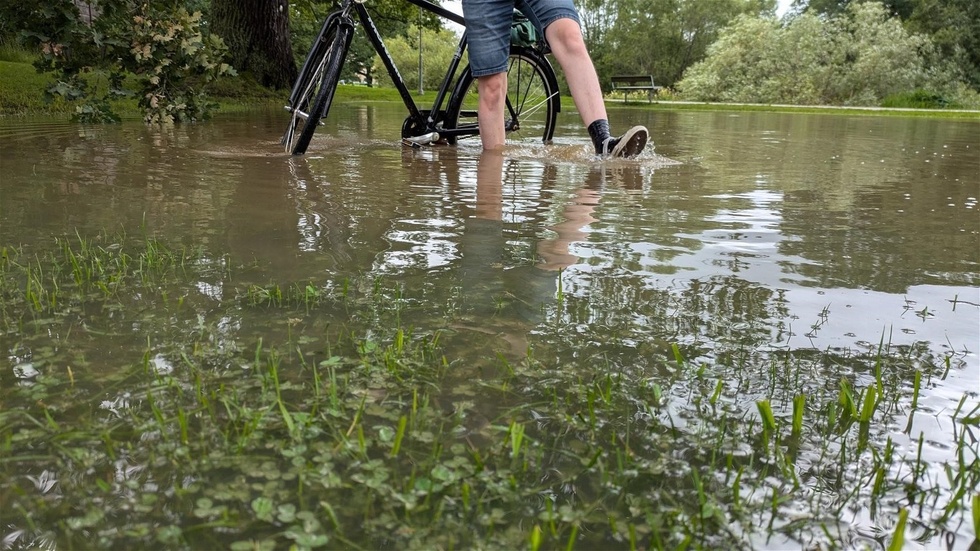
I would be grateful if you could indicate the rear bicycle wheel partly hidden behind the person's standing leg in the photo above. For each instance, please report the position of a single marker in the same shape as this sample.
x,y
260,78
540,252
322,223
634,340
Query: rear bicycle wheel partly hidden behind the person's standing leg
x,y
533,100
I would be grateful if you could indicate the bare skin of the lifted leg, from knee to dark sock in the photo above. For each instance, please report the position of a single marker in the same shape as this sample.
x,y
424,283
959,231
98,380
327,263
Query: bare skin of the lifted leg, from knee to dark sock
x,y
565,38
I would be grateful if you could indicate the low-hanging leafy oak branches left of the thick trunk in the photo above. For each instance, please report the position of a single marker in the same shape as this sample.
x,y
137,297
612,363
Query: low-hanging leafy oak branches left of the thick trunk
x,y
166,47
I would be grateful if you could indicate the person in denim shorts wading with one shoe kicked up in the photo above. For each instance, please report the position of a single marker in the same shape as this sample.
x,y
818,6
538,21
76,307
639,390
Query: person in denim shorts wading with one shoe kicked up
x,y
488,25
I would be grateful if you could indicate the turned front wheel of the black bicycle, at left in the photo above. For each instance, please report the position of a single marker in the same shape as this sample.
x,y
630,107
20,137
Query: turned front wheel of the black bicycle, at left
x,y
317,85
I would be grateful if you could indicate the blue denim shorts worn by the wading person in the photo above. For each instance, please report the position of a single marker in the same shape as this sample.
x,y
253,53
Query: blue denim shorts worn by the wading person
x,y
488,28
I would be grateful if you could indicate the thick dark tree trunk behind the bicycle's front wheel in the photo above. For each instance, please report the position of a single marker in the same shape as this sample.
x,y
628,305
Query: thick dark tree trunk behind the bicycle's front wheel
x,y
257,35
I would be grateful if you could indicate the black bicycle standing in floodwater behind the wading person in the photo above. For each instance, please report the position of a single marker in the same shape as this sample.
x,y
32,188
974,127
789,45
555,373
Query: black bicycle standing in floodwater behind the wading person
x,y
532,103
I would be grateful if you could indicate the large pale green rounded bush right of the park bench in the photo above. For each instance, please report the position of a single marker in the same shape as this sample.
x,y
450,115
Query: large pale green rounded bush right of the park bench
x,y
857,58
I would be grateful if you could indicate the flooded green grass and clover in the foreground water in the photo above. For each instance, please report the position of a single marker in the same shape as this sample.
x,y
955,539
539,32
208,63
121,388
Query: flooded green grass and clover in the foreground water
x,y
157,396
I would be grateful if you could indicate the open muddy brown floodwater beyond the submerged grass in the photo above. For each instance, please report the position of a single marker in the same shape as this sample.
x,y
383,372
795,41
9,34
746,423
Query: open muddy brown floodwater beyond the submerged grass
x,y
749,232
